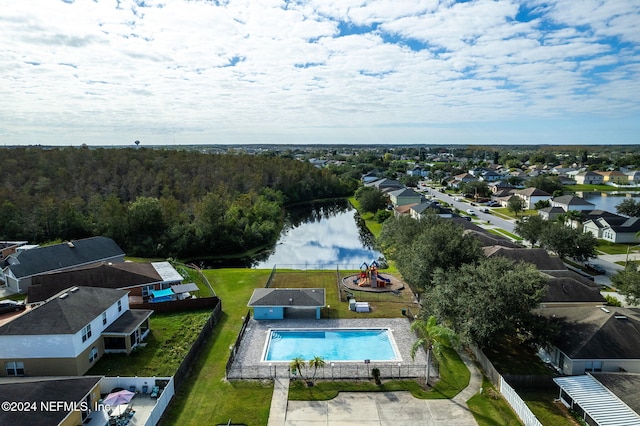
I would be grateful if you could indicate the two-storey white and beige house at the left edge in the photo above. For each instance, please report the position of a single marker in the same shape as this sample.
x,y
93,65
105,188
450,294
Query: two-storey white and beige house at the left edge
x,y
68,333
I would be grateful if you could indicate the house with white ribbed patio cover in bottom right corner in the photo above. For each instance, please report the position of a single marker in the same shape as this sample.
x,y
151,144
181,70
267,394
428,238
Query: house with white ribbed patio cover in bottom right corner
x,y
602,399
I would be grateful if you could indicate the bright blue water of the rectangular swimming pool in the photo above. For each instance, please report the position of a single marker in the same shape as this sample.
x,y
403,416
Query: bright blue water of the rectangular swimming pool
x,y
331,345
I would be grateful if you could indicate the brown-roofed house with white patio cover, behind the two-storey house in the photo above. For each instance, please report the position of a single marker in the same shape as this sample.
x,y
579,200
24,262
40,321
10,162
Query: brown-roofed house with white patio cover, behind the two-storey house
x,y
138,277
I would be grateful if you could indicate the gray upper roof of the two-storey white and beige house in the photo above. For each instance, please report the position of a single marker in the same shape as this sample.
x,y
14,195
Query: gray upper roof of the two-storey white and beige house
x,y
66,315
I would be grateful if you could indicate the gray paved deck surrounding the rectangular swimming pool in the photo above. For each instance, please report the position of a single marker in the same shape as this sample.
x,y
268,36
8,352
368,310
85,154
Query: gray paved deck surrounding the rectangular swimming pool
x,y
248,363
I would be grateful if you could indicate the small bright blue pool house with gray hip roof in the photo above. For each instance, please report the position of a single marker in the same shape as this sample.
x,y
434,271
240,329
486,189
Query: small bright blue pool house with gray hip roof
x,y
278,303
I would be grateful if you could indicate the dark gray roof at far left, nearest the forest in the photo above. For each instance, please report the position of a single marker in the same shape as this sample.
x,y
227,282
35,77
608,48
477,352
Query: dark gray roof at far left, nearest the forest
x,y
65,255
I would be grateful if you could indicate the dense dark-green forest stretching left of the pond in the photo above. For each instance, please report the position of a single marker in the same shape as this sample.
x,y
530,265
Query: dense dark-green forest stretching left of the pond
x,y
154,202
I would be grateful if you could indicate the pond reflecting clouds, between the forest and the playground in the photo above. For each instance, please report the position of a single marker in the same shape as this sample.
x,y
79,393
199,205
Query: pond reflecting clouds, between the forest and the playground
x,y
321,236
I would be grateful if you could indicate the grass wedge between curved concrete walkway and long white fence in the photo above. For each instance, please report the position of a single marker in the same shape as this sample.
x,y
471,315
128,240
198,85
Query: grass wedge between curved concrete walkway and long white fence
x,y
489,408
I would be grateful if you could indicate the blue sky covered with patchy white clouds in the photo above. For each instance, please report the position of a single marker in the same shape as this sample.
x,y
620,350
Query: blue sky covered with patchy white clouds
x,y
167,72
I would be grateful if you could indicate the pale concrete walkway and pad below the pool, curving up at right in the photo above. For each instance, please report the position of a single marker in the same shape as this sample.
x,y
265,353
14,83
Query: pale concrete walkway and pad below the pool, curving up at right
x,y
375,408
